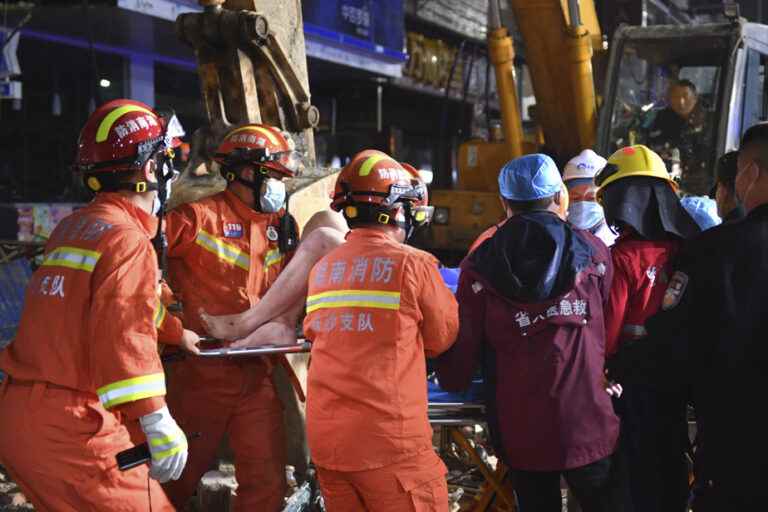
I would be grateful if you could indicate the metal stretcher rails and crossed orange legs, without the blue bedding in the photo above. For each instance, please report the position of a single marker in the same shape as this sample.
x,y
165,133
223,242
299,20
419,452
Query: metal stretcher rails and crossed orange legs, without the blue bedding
x,y
450,416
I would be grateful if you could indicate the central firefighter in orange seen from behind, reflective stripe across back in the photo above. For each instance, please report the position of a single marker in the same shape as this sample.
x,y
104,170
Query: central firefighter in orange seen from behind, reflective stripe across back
x,y
375,307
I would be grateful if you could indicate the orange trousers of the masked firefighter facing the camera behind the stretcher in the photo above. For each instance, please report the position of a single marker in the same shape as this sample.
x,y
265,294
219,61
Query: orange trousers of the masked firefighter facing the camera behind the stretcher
x,y
218,397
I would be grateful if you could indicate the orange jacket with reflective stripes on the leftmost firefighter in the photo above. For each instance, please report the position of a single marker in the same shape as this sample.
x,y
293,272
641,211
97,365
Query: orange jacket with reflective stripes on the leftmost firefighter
x,y
90,310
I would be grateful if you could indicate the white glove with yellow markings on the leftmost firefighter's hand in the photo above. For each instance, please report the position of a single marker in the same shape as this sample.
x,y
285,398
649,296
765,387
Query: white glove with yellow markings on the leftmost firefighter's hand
x,y
167,444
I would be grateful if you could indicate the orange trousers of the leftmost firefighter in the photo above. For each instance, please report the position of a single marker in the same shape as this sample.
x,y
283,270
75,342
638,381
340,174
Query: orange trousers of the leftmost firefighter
x,y
59,446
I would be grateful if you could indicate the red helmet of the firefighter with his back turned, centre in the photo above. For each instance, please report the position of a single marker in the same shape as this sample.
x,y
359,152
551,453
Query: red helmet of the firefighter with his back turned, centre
x,y
375,180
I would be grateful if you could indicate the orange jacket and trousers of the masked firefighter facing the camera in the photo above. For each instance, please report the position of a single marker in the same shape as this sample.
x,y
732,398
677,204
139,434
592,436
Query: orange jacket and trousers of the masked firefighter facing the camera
x,y
223,256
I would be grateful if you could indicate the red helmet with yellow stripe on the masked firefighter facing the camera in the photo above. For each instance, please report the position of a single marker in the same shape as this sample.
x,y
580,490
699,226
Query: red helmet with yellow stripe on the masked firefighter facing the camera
x,y
259,145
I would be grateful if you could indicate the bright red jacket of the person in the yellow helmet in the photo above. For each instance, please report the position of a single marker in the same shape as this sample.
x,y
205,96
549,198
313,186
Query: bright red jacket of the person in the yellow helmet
x,y
641,272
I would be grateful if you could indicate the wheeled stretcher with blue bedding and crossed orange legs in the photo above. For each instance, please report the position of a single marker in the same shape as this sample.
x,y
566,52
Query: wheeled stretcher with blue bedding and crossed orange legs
x,y
452,411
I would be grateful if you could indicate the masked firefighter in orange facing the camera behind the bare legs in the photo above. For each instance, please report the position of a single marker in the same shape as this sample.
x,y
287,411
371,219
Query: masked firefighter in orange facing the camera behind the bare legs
x,y
224,252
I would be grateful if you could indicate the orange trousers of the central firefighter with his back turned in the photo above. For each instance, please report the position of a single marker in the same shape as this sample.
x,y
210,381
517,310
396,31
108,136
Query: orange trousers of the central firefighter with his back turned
x,y
416,484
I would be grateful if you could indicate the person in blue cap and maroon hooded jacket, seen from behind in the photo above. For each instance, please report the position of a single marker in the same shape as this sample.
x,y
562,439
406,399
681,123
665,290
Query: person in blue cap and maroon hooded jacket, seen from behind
x,y
531,300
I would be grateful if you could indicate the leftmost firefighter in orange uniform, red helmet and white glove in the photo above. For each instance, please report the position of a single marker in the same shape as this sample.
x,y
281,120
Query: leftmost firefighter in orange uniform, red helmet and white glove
x,y
84,365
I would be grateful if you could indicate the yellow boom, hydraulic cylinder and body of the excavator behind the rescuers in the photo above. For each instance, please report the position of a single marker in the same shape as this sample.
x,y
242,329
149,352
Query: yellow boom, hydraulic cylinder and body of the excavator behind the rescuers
x,y
560,36
